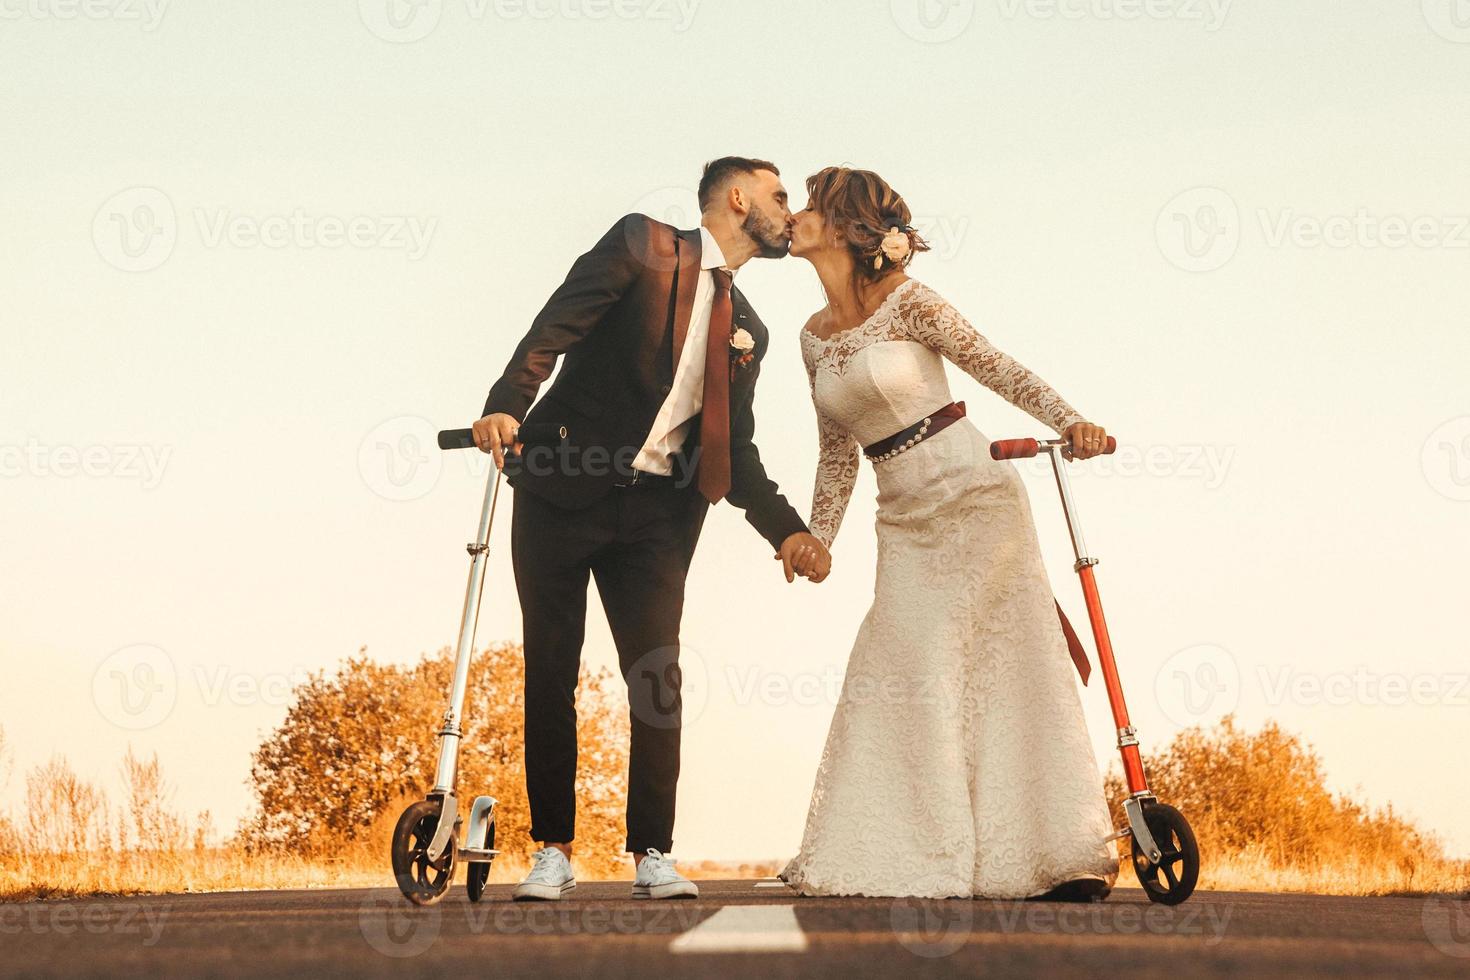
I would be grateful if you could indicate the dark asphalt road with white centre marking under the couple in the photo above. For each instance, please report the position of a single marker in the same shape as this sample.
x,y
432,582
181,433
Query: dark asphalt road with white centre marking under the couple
x,y
736,929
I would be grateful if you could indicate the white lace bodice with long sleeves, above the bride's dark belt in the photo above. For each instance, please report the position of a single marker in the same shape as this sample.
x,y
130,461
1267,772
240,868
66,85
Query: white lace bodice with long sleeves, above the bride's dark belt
x,y
883,375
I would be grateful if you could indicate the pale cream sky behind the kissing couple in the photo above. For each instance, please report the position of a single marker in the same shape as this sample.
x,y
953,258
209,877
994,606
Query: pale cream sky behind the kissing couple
x,y
255,251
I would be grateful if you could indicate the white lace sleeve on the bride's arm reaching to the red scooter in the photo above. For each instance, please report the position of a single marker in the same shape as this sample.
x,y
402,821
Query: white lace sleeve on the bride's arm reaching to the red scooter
x,y
931,321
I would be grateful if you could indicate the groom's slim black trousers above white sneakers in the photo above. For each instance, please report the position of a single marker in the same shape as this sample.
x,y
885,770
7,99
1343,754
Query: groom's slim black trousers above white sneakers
x,y
637,543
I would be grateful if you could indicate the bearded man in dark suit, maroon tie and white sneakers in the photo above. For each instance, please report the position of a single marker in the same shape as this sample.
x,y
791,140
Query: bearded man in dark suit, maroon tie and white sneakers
x,y
661,362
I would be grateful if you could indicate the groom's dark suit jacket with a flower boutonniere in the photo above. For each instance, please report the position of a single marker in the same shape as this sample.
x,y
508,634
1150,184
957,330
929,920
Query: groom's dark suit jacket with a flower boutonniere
x,y
620,320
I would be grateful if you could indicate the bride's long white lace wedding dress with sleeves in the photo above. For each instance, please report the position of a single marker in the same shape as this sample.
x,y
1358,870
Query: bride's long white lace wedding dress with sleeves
x,y
959,762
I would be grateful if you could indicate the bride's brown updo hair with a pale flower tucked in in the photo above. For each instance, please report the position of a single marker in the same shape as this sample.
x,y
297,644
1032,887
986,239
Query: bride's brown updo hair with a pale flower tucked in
x,y
871,217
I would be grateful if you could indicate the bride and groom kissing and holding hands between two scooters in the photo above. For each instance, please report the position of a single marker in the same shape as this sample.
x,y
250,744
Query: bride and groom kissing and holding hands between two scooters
x,y
972,774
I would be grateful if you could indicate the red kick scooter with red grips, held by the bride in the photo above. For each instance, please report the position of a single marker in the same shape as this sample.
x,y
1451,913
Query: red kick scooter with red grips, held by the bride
x,y
1166,857
